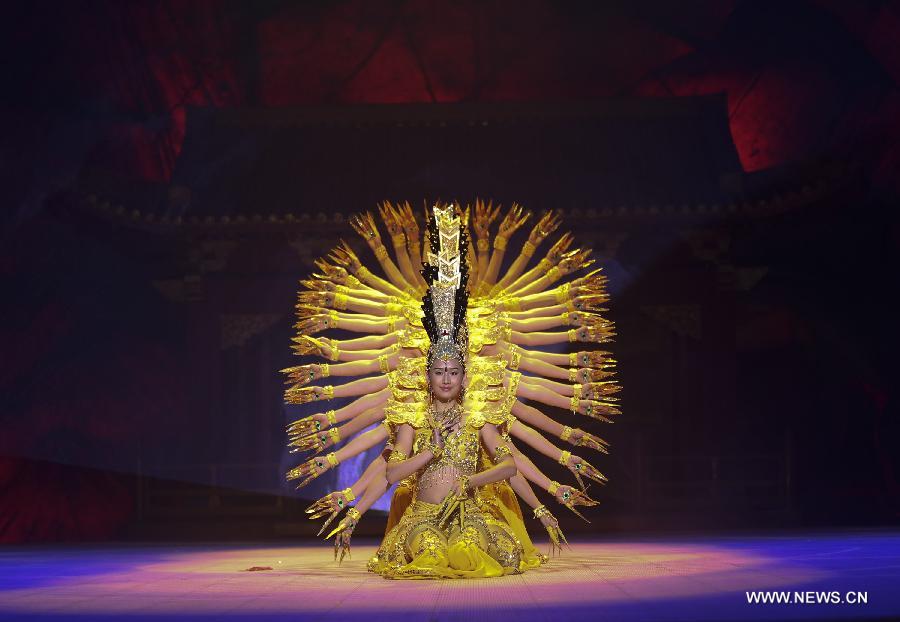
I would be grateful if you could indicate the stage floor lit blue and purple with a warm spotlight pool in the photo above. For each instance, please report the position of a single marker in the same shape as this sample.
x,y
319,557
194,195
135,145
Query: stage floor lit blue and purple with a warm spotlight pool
x,y
622,578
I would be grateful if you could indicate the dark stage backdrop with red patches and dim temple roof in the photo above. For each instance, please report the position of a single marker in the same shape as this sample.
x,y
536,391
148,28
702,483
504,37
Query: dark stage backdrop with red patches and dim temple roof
x,y
172,168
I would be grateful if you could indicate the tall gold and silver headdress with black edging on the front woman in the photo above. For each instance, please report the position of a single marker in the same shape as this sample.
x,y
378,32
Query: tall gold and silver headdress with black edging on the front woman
x,y
447,274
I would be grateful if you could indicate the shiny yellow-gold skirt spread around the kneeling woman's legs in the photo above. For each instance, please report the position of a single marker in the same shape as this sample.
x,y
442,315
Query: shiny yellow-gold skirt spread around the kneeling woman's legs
x,y
491,540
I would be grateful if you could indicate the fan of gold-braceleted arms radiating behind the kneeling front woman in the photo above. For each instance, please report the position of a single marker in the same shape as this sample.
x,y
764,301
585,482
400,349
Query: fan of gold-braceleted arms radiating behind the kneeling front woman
x,y
512,380
